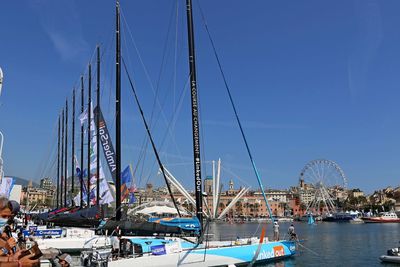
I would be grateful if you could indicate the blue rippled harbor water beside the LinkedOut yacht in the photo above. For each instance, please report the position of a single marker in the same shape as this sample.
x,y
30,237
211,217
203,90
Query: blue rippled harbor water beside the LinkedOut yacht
x,y
326,243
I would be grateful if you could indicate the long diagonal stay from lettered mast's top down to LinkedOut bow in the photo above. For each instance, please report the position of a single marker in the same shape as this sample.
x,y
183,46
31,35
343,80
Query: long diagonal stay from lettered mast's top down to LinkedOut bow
x,y
236,115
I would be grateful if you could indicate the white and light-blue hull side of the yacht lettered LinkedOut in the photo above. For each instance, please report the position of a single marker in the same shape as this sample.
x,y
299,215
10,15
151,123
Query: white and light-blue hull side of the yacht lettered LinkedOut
x,y
222,256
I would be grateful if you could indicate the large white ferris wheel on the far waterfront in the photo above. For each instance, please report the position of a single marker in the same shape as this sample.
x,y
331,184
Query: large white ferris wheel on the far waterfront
x,y
321,178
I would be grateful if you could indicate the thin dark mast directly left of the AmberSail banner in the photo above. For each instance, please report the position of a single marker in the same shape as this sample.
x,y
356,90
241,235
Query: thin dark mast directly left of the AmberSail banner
x,y
98,129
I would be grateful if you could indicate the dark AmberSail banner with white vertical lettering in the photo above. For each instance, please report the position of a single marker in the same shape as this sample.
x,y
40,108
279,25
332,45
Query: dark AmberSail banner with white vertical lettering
x,y
108,148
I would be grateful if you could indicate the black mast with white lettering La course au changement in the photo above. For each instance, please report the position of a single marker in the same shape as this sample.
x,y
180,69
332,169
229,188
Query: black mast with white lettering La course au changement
x,y
195,116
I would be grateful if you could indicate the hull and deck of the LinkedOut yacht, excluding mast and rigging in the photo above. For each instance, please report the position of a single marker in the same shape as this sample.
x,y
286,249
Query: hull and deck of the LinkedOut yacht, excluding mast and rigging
x,y
147,251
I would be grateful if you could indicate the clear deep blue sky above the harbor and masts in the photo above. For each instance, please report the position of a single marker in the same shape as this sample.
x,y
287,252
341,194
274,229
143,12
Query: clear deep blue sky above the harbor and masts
x,y
311,80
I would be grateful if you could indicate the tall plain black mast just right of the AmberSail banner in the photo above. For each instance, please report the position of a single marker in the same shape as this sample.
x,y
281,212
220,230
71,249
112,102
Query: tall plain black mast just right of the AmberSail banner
x,y
118,115
